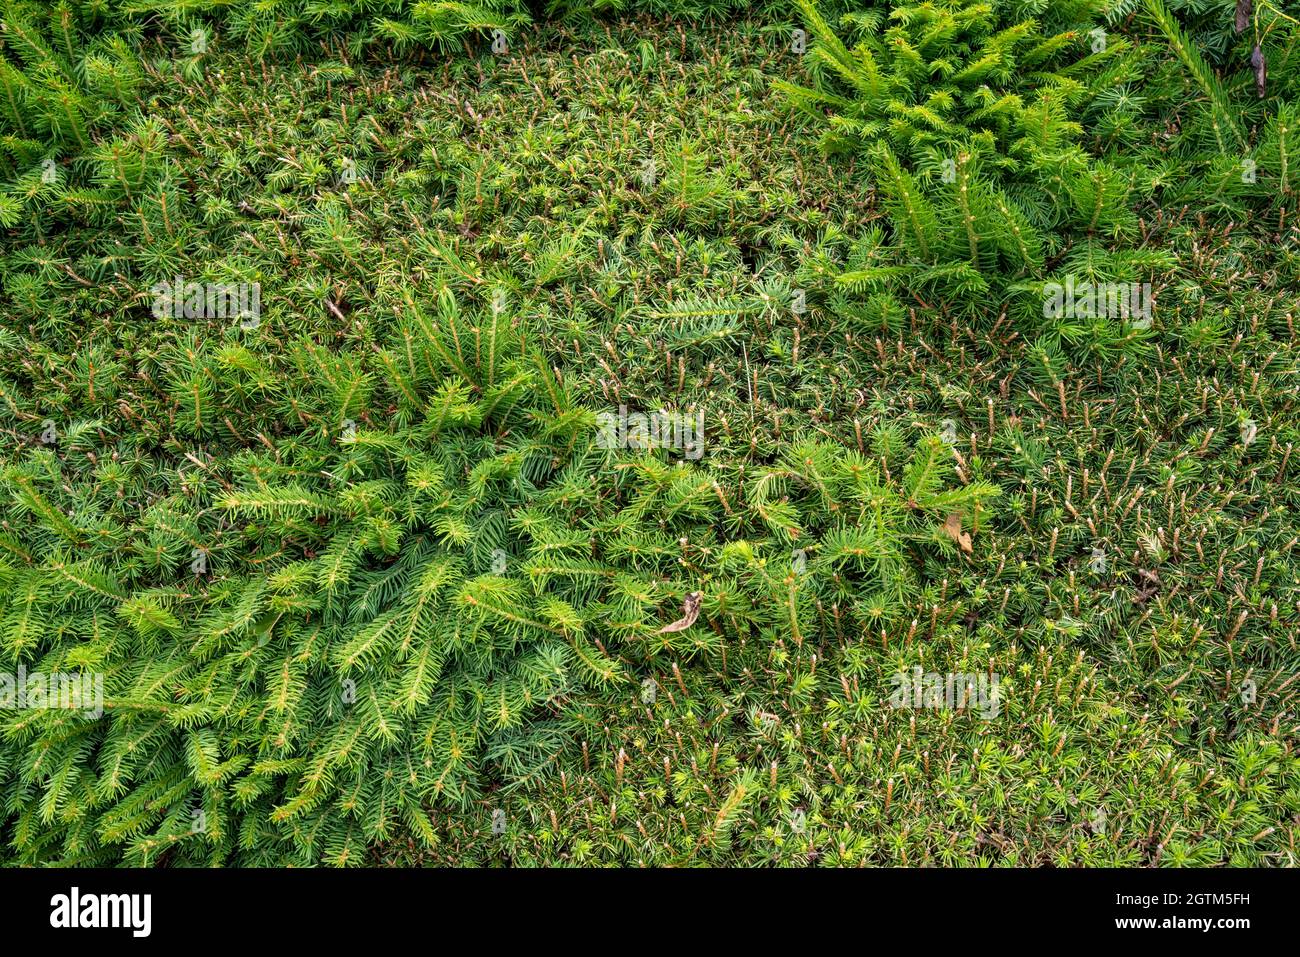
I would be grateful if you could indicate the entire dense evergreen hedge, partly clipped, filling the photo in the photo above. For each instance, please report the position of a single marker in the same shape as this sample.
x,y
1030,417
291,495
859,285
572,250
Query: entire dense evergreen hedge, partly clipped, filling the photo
x,y
362,578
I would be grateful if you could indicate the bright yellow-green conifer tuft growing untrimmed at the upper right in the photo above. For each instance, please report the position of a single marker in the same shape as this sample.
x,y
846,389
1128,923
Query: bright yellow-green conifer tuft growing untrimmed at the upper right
x,y
973,122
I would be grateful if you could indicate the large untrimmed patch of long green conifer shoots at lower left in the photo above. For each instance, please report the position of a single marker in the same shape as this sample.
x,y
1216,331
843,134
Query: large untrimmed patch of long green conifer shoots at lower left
x,y
387,608
